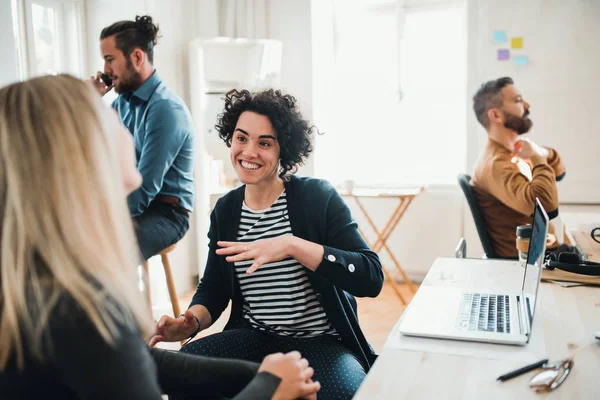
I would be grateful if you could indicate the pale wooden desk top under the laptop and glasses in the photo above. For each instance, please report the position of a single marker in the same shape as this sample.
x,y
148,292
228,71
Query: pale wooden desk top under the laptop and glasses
x,y
568,316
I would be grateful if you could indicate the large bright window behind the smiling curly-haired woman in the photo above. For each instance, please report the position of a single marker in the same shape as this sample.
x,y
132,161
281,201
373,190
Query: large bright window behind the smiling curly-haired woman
x,y
398,110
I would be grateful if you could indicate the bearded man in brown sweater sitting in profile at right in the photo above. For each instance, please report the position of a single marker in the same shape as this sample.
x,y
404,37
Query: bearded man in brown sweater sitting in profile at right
x,y
512,170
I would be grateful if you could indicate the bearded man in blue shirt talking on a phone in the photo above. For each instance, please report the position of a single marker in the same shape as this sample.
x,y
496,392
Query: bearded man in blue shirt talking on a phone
x,y
162,129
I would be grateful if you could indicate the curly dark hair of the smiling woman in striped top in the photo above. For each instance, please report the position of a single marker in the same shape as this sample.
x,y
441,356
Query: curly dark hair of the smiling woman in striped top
x,y
294,133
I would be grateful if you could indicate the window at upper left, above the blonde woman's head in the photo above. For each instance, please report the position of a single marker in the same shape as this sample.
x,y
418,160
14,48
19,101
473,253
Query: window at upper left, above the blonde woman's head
x,y
50,37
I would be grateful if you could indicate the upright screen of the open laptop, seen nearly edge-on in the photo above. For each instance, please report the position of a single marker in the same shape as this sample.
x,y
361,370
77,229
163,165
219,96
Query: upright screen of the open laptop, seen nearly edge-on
x,y
535,257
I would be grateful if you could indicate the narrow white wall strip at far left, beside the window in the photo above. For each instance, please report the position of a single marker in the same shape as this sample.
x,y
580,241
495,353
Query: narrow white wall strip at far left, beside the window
x,y
9,72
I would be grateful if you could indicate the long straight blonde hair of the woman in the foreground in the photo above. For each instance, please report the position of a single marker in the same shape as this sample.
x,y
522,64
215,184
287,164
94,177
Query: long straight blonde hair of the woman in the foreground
x,y
64,224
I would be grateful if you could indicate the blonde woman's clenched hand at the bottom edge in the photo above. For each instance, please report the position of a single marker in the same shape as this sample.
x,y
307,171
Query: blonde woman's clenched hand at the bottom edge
x,y
295,374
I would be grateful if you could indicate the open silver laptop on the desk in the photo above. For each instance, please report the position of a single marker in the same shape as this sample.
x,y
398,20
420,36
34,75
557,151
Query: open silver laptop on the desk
x,y
505,317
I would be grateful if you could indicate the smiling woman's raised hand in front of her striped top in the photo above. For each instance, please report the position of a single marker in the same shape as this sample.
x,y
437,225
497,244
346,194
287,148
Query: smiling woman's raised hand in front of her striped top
x,y
261,251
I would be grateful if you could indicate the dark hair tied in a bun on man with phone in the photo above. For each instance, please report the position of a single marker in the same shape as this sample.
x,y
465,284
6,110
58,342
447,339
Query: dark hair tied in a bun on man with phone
x,y
129,35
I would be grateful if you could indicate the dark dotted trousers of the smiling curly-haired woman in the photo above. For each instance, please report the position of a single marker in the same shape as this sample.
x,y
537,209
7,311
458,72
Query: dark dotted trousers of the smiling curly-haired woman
x,y
336,368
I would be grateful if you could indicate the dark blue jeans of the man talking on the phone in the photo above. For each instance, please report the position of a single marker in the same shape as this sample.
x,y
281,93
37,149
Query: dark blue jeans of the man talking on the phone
x,y
160,226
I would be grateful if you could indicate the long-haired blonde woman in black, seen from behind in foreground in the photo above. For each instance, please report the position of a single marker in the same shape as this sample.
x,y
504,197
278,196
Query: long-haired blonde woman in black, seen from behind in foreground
x,y
72,320
